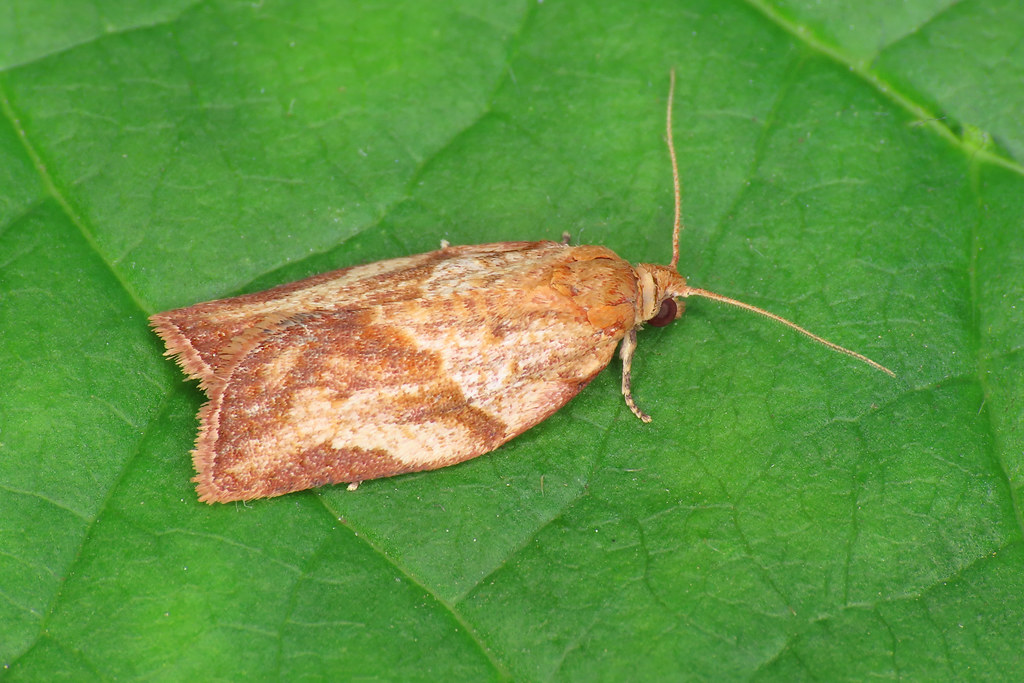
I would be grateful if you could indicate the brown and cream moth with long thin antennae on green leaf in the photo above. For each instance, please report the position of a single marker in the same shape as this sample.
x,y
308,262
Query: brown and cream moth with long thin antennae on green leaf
x,y
415,363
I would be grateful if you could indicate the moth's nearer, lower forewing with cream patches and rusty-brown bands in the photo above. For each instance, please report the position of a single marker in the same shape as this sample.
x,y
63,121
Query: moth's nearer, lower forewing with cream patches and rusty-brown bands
x,y
354,396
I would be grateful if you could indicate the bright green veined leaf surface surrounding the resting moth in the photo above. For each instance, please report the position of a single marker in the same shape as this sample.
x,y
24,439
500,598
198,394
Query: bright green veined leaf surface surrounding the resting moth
x,y
790,514
